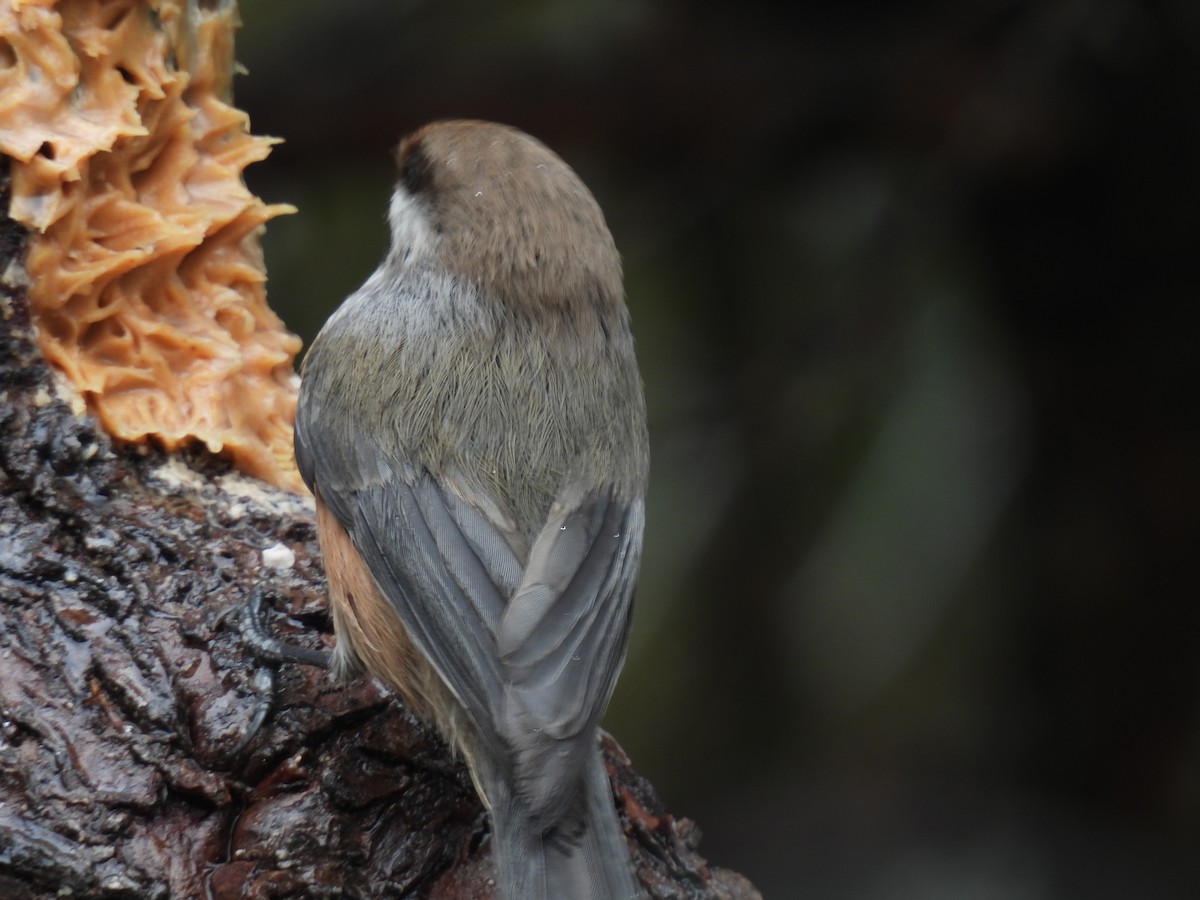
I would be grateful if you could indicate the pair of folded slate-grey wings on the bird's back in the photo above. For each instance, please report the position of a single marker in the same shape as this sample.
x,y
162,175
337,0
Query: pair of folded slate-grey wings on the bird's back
x,y
531,651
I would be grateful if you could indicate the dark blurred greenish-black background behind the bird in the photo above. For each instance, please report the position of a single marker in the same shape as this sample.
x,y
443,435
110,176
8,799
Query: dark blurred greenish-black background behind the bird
x,y
916,296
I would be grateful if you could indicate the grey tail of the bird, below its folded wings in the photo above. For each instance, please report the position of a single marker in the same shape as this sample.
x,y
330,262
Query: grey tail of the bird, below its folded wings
x,y
584,857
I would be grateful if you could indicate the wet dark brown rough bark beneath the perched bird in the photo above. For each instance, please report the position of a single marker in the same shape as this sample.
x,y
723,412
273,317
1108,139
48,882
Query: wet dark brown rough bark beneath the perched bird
x,y
127,691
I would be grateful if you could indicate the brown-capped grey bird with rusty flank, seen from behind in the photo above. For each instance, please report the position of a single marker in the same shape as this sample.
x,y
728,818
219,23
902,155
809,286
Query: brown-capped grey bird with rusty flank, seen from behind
x,y
472,424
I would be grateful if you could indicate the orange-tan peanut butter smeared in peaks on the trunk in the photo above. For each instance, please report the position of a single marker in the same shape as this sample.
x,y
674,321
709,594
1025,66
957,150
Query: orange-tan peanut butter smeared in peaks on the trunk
x,y
147,278
